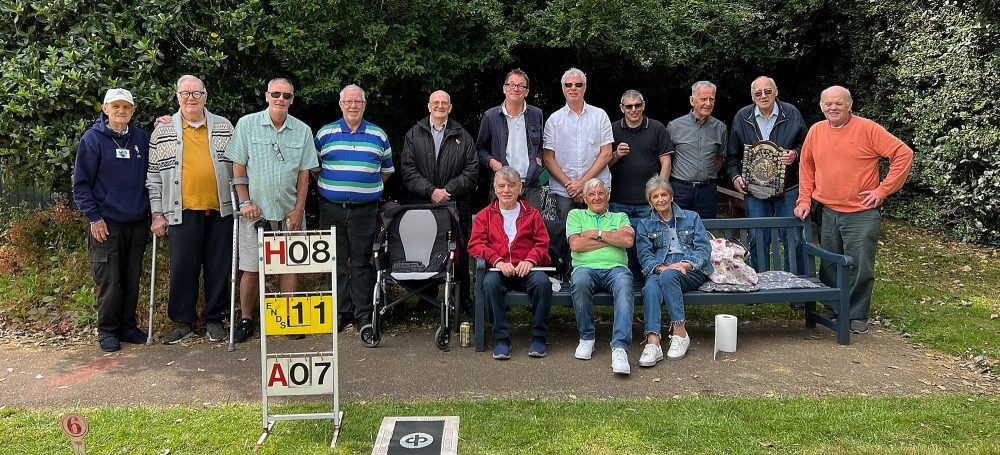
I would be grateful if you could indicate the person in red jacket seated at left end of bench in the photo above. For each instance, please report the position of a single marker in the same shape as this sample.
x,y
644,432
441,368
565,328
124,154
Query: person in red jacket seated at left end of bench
x,y
510,235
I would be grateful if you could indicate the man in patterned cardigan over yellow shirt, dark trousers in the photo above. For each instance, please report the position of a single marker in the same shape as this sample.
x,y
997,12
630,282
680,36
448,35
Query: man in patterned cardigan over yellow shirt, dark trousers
x,y
188,183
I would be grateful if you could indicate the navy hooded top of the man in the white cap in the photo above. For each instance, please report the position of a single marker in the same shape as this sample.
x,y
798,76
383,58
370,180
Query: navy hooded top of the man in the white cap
x,y
106,185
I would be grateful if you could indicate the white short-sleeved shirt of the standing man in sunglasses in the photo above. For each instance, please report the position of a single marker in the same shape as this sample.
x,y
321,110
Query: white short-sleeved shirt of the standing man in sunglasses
x,y
577,140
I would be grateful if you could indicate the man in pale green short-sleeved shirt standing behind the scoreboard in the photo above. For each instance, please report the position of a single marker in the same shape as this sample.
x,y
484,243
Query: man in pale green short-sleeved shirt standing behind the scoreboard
x,y
274,152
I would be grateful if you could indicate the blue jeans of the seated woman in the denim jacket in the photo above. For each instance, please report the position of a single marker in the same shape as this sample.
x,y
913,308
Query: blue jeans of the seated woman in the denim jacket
x,y
667,287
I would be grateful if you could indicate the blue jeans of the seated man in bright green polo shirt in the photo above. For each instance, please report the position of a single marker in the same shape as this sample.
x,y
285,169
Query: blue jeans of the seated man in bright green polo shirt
x,y
618,282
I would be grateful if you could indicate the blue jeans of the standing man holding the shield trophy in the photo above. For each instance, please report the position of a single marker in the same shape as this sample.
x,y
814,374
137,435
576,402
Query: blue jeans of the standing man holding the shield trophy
x,y
781,205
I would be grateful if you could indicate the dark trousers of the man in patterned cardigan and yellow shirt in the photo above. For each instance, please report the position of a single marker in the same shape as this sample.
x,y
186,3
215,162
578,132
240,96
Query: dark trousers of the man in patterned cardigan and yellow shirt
x,y
202,245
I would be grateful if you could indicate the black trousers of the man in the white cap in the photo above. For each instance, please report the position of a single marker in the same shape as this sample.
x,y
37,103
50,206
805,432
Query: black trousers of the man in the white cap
x,y
116,264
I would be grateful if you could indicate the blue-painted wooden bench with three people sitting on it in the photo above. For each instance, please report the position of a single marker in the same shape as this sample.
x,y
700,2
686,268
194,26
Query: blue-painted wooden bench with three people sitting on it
x,y
837,297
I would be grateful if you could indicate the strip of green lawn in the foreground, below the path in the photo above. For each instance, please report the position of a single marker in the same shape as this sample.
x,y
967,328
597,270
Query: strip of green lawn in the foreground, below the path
x,y
934,424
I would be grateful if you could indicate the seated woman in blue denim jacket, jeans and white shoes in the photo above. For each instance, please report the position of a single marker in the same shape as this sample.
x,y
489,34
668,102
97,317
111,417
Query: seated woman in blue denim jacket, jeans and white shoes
x,y
674,251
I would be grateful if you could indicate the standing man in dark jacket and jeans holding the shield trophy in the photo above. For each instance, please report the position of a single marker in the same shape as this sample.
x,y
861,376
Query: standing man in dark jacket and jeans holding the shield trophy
x,y
768,119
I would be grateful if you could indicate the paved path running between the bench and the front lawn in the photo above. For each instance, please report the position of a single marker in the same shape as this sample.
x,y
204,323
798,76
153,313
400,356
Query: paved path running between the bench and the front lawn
x,y
770,360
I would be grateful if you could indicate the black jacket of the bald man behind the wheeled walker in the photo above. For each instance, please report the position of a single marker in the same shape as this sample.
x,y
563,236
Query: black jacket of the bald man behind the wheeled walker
x,y
455,169
